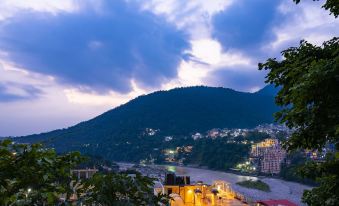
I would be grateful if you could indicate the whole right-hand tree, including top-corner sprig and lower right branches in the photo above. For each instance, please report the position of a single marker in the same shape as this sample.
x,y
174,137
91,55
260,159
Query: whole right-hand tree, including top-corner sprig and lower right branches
x,y
308,77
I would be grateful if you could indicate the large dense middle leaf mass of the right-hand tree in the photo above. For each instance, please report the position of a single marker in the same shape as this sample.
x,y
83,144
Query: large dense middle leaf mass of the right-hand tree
x,y
309,80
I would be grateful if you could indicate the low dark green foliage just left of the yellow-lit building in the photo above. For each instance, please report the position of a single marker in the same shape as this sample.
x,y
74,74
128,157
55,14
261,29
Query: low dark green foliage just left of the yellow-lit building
x,y
120,189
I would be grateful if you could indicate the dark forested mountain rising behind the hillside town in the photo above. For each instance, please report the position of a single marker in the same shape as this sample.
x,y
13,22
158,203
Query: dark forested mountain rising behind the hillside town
x,y
178,112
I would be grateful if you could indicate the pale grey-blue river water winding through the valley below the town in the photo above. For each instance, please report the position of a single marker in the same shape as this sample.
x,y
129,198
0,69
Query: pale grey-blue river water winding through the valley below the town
x,y
280,189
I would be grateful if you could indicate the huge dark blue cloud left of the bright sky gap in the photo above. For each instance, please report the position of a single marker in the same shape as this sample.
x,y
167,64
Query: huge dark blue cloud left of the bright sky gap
x,y
101,47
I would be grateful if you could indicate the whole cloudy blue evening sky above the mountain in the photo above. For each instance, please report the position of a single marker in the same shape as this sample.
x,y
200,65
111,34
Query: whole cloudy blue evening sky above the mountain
x,y
67,61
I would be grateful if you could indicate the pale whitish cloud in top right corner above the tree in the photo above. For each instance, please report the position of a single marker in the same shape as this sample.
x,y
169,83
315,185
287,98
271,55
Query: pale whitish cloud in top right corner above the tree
x,y
306,20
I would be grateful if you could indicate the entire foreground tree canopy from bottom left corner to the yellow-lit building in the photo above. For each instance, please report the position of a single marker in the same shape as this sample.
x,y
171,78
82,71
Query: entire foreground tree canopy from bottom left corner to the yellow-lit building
x,y
33,175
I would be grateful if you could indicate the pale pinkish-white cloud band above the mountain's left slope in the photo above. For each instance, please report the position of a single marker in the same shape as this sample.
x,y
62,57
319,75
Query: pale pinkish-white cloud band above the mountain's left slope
x,y
52,106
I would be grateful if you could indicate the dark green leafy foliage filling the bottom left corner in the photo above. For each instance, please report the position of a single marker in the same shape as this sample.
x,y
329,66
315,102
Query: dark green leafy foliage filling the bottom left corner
x,y
32,175
